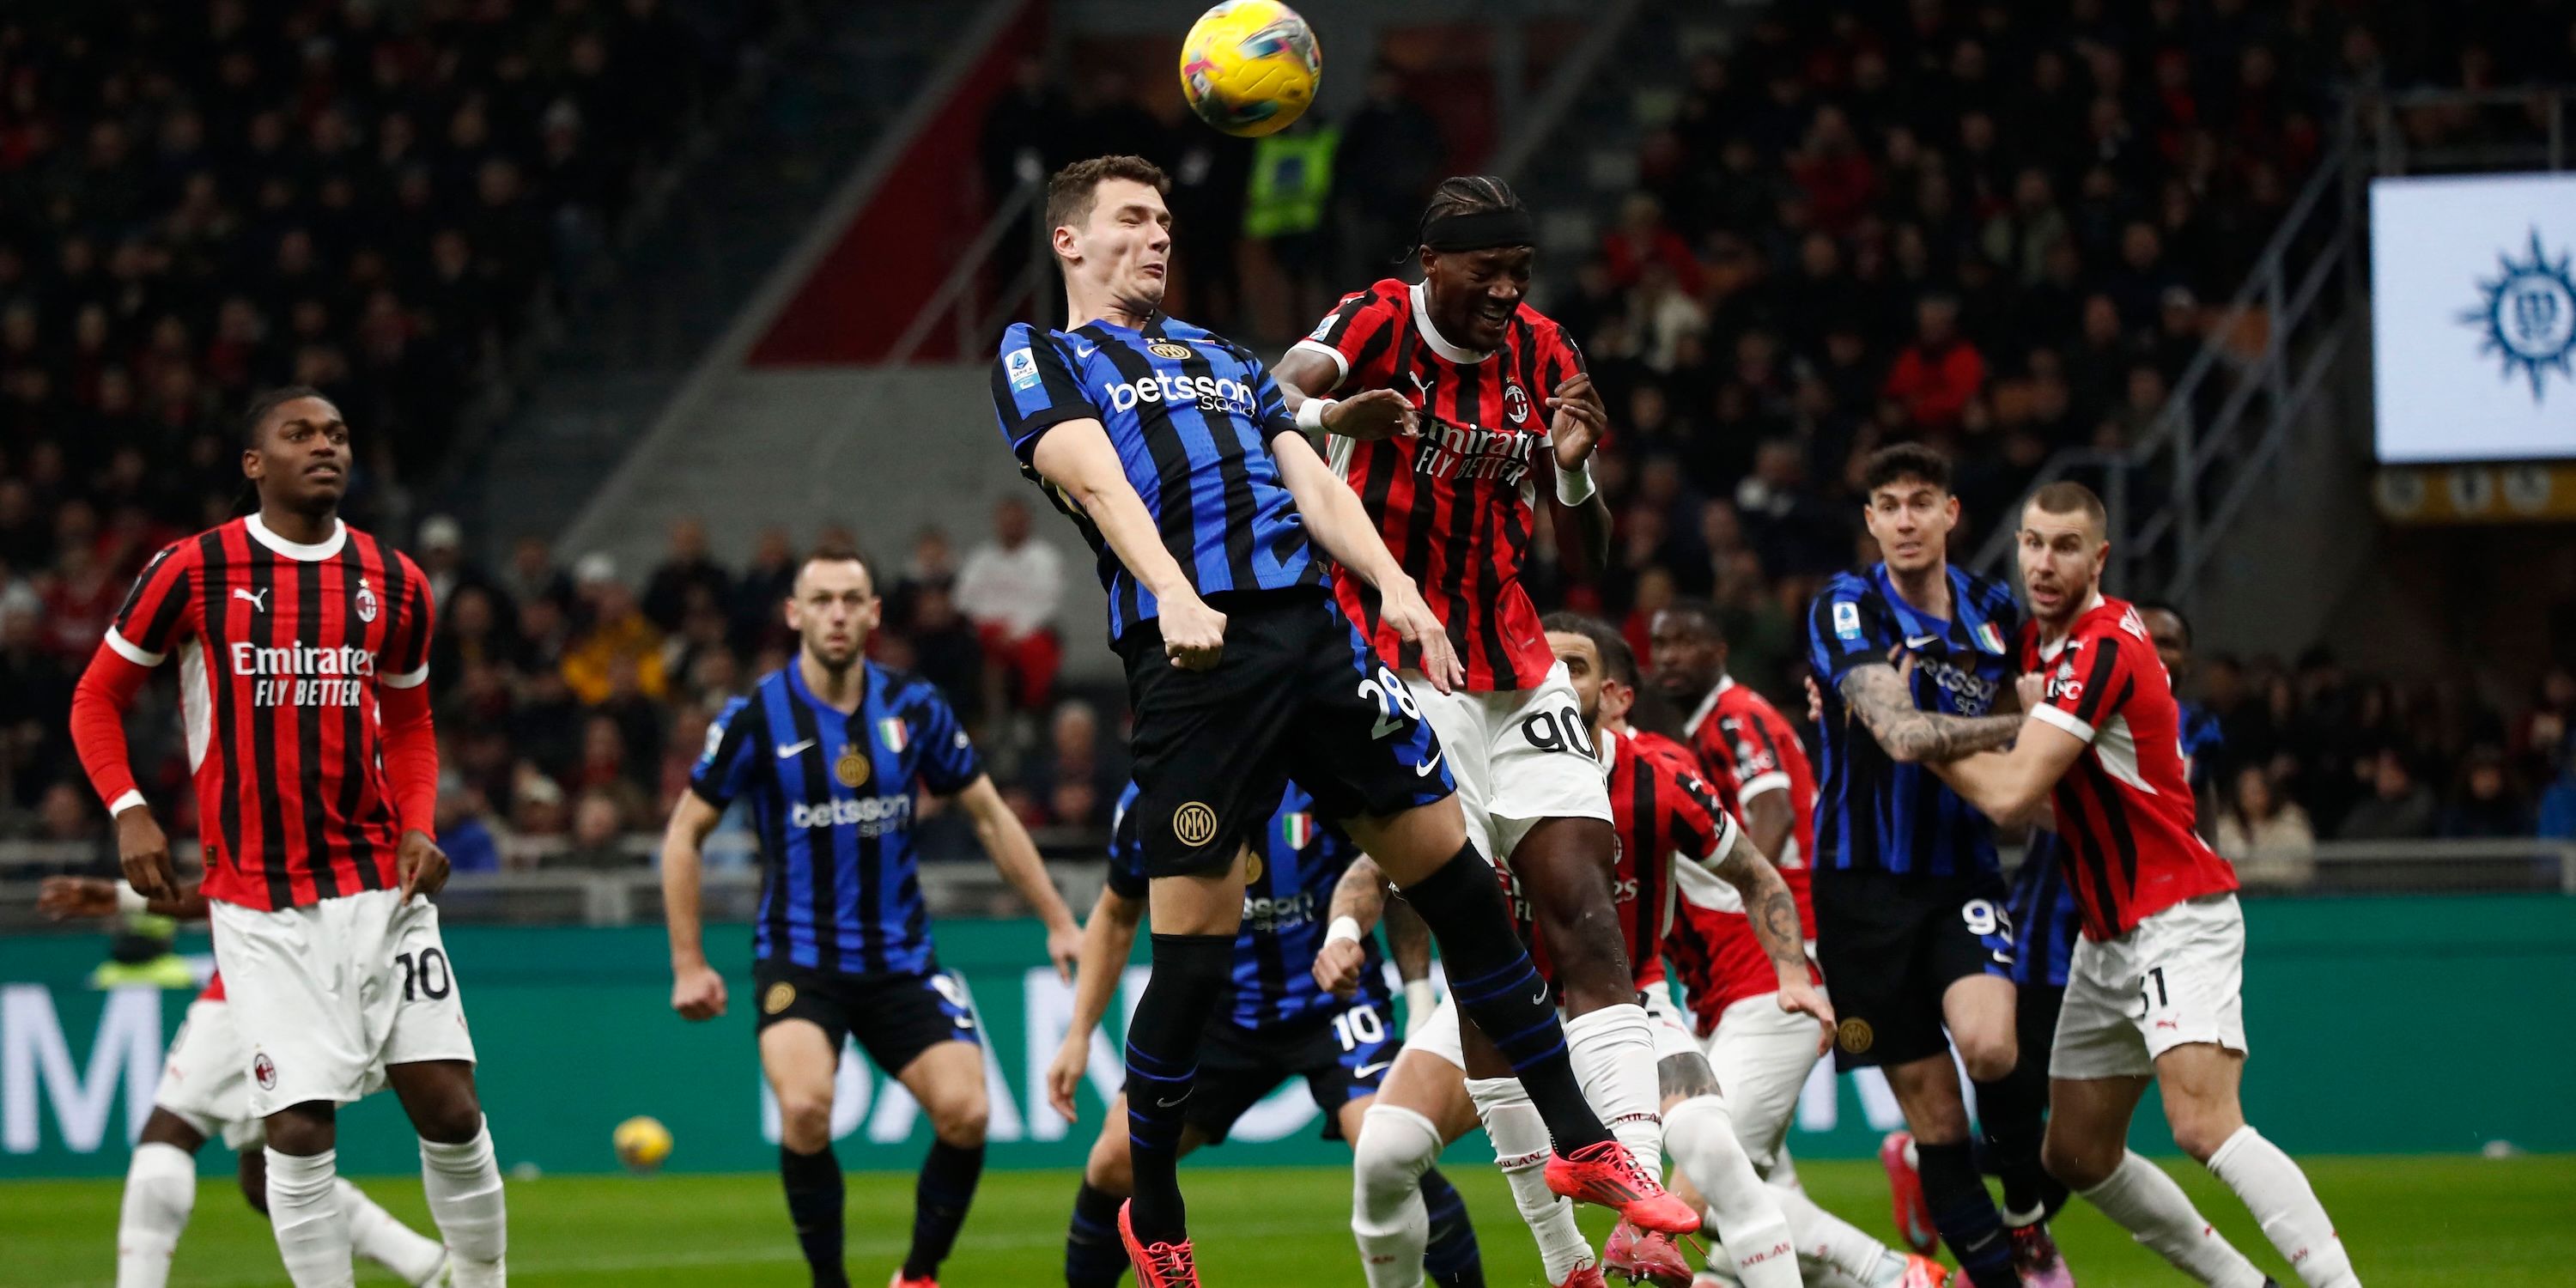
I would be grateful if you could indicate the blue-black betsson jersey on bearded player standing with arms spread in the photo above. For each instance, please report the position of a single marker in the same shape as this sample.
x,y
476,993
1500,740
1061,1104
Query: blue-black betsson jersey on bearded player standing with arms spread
x,y
833,802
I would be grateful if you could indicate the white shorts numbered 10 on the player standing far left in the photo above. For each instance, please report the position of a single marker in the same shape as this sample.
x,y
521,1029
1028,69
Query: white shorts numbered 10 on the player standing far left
x,y
328,993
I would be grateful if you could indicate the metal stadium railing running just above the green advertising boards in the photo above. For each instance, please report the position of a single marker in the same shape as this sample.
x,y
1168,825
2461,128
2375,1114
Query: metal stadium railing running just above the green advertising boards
x,y
535,895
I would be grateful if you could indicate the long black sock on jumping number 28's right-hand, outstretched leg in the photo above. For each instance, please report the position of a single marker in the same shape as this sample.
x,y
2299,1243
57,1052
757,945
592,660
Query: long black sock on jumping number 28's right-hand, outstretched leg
x,y
1495,985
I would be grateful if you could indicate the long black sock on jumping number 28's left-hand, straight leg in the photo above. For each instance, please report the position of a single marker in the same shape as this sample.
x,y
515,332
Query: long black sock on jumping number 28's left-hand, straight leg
x,y
1191,978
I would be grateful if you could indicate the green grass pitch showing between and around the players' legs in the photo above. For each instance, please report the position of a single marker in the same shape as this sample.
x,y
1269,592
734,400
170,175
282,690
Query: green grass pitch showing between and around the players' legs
x,y
2410,1222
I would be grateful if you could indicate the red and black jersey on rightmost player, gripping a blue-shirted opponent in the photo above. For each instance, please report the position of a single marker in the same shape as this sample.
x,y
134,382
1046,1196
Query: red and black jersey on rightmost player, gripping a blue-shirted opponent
x,y
2126,805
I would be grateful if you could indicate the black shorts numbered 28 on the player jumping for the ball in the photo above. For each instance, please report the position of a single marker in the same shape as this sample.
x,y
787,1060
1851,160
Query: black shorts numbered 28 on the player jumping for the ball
x,y
1297,692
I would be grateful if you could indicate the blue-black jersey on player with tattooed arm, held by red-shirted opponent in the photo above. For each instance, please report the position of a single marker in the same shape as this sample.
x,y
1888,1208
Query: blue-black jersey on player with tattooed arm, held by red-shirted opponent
x,y
1874,813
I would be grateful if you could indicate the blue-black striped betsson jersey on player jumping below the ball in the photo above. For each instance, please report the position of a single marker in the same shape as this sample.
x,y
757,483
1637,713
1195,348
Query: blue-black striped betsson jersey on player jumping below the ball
x,y
1191,416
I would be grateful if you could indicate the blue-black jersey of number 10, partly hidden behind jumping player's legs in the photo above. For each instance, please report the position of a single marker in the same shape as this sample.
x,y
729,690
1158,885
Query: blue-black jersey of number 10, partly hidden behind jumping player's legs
x,y
1287,911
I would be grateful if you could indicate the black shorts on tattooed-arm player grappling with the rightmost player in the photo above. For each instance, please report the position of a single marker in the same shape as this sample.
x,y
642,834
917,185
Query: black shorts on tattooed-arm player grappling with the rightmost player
x,y
1892,947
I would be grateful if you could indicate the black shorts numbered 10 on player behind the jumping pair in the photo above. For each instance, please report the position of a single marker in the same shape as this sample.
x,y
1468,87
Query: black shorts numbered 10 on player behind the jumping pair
x,y
1343,1055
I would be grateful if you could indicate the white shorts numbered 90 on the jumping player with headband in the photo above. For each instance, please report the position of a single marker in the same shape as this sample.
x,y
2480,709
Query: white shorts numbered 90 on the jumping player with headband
x,y
1519,756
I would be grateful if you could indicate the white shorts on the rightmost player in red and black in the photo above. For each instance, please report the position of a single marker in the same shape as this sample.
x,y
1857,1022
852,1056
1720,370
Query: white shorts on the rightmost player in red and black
x,y
2173,980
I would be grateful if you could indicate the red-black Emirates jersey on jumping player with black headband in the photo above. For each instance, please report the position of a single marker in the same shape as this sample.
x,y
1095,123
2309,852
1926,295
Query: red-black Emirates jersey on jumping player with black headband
x,y
1457,506
